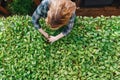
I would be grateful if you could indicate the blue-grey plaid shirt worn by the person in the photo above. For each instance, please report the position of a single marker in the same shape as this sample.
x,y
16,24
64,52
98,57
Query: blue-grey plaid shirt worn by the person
x,y
42,10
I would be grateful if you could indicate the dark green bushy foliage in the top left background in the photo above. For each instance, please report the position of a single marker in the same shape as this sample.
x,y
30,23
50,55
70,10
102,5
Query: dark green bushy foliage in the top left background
x,y
21,7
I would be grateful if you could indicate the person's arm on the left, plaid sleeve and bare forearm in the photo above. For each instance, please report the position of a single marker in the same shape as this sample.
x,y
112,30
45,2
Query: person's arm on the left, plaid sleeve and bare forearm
x,y
39,14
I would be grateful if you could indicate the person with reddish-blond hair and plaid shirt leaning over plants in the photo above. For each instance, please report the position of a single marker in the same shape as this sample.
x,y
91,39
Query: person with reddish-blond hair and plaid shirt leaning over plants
x,y
57,13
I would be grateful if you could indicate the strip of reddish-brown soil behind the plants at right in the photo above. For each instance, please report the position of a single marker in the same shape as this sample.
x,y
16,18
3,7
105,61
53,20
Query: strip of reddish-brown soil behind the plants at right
x,y
105,11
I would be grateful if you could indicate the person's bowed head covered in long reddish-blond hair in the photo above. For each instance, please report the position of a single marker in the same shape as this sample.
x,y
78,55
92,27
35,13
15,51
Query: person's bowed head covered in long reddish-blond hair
x,y
59,13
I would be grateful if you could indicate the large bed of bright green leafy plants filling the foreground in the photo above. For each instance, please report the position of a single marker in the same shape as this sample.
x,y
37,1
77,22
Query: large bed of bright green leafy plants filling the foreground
x,y
90,52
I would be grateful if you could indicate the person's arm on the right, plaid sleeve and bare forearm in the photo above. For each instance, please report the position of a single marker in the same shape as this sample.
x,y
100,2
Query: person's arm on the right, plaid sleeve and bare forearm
x,y
65,31
